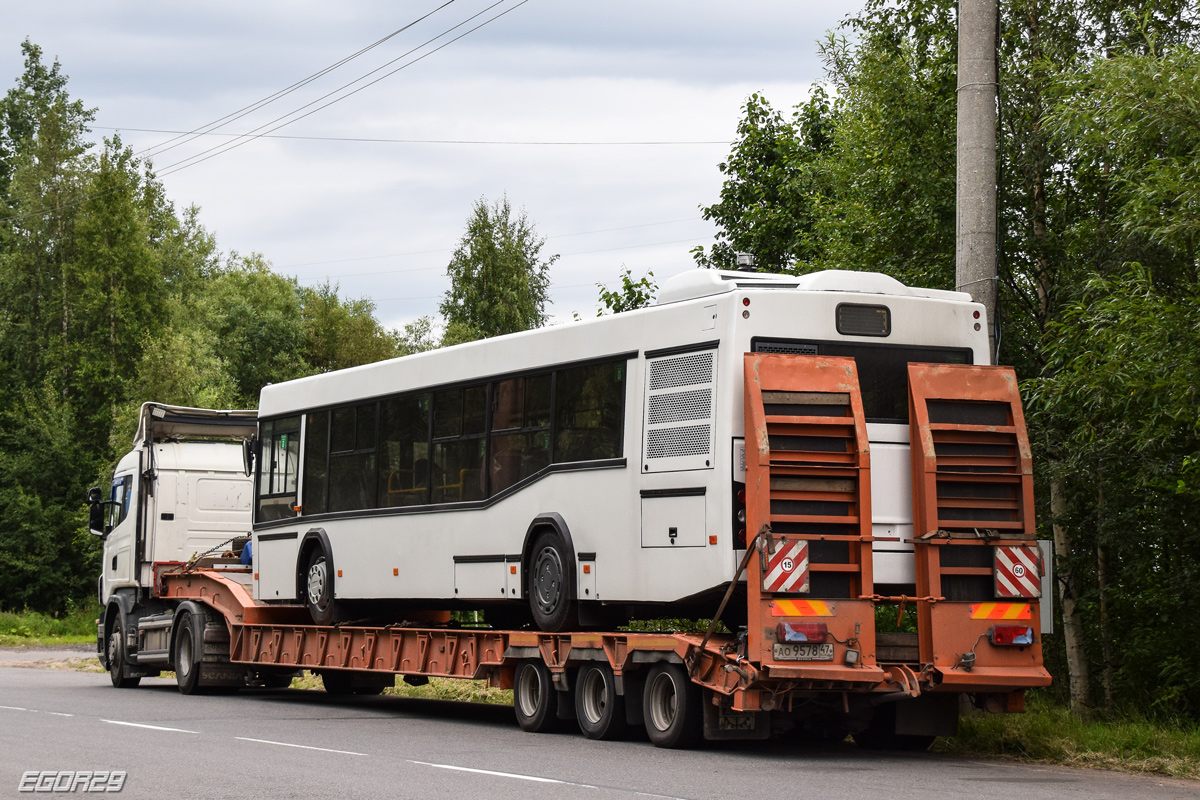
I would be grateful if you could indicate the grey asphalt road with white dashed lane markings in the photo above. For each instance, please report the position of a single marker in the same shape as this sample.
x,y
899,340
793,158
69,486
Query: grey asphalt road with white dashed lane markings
x,y
304,744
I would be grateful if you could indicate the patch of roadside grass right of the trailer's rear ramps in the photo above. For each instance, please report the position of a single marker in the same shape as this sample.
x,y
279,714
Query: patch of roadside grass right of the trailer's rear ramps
x,y
1051,735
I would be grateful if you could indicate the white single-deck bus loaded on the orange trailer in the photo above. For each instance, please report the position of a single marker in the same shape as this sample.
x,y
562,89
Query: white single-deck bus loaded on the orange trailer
x,y
583,472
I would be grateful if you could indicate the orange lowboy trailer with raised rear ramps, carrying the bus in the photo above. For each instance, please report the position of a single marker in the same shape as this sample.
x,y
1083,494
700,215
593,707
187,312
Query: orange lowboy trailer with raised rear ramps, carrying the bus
x,y
817,665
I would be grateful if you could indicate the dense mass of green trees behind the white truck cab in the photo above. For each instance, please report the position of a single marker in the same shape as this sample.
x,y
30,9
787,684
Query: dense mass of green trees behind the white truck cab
x,y
109,298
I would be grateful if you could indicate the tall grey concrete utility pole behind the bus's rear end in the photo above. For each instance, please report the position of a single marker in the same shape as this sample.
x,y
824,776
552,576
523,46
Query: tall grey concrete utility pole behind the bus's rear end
x,y
976,212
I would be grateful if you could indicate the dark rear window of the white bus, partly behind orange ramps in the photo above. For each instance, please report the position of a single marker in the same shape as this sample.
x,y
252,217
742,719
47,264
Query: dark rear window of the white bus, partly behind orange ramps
x,y
883,370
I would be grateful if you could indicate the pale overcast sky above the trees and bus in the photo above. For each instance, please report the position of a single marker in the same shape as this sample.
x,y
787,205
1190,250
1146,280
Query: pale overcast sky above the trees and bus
x,y
381,219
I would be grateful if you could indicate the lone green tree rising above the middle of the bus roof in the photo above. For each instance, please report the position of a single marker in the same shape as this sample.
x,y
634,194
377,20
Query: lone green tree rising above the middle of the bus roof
x,y
499,276
